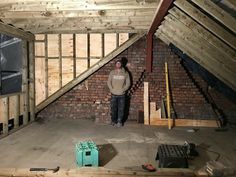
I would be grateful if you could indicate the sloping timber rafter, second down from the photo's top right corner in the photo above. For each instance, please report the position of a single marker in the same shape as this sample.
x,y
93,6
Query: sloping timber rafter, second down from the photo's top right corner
x,y
218,13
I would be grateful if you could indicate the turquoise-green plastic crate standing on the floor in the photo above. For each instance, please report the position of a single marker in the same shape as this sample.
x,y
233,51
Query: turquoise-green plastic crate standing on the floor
x,y
86,154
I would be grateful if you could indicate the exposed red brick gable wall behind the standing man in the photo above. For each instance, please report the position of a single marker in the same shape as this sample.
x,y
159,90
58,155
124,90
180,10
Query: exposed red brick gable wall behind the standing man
x,y
90,99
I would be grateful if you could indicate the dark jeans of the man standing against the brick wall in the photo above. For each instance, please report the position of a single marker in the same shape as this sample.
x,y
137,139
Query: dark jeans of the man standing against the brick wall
x,y
117,108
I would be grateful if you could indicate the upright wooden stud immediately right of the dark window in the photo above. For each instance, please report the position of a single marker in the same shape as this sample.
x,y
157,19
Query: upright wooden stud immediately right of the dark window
x,y
25,86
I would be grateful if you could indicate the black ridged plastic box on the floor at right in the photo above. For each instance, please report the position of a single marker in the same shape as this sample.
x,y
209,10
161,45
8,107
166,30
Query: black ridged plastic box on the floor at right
x,y
172,156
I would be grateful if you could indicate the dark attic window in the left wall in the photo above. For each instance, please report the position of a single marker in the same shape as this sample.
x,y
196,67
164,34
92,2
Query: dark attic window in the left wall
x,y
10,64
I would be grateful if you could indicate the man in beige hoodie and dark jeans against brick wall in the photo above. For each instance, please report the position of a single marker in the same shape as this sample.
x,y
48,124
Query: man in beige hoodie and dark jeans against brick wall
x,y
118,83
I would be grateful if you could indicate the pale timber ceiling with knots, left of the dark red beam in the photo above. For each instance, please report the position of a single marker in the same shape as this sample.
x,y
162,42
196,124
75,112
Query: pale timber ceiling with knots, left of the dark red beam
x,y
54,16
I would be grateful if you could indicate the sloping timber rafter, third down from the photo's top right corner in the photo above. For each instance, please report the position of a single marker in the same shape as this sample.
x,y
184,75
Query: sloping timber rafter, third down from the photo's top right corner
x,y
207,22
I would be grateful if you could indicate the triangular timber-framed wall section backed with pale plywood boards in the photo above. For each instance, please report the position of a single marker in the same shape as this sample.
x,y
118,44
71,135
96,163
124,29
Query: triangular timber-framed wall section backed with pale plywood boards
x,y
61,58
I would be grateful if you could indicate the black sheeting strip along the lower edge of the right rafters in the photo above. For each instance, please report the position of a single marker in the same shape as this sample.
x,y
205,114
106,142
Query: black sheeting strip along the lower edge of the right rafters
x,y
207,76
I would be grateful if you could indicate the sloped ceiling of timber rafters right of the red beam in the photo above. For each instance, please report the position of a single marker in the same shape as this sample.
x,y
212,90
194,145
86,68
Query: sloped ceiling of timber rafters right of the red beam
x,y
206,33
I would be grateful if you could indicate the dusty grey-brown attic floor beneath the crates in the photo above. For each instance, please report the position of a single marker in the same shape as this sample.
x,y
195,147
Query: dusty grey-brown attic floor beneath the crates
x,y
50,143
